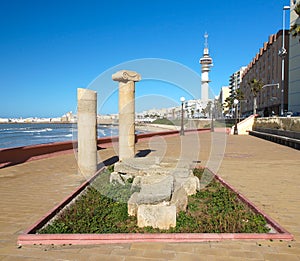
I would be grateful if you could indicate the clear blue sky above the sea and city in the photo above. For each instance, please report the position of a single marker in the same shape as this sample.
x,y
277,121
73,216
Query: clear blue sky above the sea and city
x,y
50,48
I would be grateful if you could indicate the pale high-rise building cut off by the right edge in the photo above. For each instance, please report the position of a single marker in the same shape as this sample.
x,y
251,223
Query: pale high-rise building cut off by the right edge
x,y
294,61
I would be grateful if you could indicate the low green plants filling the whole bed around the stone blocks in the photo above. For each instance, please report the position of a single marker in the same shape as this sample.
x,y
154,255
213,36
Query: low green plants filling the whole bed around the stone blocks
x,y
102,208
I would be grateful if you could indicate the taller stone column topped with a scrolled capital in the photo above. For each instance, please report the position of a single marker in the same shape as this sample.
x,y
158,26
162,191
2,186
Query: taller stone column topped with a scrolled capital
x,y
126,81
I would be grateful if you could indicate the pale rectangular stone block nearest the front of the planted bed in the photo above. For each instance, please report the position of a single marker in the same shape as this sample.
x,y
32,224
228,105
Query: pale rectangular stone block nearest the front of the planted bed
x,y
156,216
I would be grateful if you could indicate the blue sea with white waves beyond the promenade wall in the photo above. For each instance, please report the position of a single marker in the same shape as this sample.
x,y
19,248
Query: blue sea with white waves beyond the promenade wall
x,y
23,134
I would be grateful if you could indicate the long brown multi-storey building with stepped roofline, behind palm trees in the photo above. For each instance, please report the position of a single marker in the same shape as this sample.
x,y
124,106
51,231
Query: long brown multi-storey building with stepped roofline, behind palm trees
x,y
267,67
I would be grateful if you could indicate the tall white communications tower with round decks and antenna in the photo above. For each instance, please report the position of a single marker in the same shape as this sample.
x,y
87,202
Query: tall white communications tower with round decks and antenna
x,y
206,63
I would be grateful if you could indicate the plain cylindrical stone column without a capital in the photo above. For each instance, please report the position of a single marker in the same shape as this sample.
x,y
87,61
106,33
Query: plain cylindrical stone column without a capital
x,y
87,131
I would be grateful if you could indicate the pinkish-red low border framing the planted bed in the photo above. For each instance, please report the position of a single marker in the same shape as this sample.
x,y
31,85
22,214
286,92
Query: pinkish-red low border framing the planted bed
x,y
30,238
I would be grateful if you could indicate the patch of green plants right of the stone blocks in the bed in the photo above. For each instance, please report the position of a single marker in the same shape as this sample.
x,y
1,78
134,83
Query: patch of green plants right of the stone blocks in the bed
x,y
216,209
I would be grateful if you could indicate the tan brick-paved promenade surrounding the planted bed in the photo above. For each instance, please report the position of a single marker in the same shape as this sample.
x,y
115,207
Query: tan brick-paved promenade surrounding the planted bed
x,y
266,173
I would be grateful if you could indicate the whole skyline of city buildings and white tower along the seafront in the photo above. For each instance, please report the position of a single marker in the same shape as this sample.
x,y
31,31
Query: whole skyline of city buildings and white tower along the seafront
x,y
276,67
